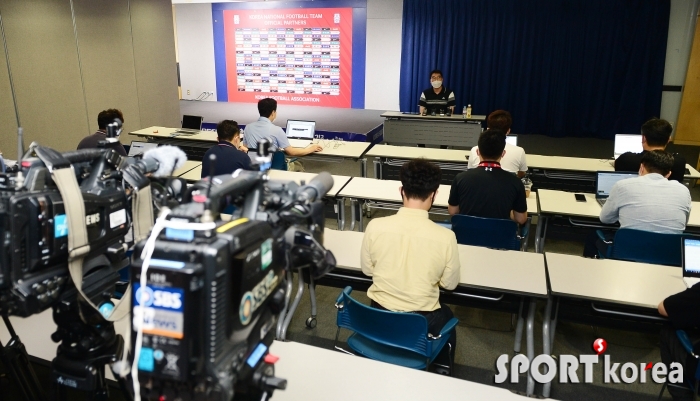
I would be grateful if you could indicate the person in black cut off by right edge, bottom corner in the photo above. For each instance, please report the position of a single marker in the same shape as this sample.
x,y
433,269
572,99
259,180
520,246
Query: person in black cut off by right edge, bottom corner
x,y
683,312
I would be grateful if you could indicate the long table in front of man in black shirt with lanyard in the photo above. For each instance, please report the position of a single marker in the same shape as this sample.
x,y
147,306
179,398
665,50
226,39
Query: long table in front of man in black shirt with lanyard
x,y
372,193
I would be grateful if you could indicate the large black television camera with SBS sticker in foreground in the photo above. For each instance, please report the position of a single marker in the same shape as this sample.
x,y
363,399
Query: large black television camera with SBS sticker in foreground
x,y
207,292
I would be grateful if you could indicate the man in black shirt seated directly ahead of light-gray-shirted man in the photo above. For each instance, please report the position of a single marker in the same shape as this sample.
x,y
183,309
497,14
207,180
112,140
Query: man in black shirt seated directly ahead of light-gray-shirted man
x,y
656,133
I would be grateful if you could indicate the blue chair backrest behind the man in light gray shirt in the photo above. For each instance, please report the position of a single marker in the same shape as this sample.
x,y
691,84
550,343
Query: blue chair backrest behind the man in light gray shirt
x,y
647,247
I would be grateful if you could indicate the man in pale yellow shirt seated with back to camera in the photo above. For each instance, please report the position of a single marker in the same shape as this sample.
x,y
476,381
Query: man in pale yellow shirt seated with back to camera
x,y
409,257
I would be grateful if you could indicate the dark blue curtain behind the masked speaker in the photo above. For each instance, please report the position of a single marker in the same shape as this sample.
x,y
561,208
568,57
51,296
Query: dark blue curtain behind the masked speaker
x,y
585,68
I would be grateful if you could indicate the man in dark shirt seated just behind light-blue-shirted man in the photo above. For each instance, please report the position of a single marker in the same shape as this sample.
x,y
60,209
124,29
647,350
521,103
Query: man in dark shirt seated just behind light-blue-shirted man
x,y
228,156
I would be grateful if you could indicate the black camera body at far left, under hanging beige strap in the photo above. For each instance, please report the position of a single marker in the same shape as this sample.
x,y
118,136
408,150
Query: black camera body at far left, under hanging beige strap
x,y
34,228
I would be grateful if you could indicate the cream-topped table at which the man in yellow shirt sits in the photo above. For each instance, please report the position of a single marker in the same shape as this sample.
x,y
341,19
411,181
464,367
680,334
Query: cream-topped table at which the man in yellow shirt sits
x,y
497,272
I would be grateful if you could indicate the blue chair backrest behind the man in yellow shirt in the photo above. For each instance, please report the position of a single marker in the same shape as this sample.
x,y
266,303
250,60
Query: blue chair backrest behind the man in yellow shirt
x,y
408,331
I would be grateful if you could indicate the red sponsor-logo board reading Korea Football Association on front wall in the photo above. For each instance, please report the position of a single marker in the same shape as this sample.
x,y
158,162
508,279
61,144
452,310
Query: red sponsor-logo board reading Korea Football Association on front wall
x,y
296,56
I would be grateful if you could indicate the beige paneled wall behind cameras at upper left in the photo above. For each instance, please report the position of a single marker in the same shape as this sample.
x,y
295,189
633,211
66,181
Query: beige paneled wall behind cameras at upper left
x,y
124,58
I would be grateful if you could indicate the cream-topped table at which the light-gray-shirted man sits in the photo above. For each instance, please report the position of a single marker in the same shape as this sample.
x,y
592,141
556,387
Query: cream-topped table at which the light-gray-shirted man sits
x,y
583,214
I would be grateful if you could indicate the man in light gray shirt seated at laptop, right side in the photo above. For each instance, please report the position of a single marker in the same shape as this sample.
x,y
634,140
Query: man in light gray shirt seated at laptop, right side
x,y
649,202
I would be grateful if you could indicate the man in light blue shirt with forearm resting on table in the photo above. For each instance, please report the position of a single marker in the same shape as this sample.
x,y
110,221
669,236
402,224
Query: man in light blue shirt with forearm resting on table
x,y
264,129
